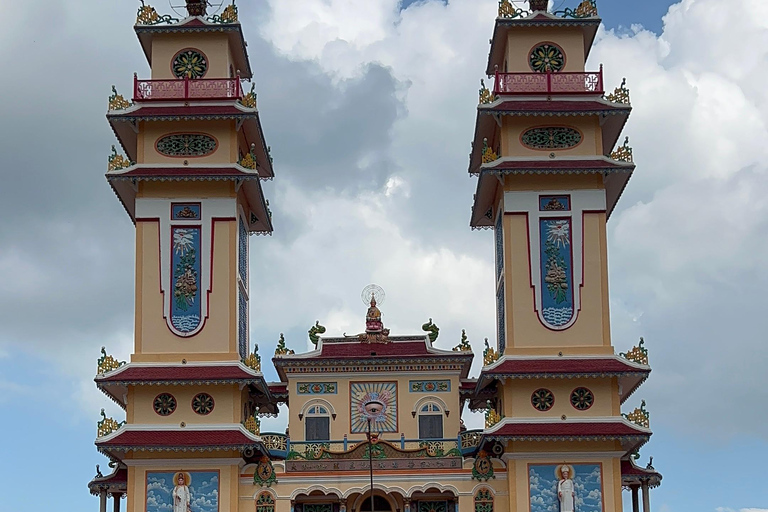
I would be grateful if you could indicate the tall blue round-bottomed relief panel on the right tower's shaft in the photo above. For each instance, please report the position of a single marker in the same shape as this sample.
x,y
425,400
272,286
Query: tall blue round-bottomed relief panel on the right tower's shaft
x,y
556,271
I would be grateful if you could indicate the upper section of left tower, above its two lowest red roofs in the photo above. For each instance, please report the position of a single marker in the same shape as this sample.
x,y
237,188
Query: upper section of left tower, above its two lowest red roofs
x,y
191,184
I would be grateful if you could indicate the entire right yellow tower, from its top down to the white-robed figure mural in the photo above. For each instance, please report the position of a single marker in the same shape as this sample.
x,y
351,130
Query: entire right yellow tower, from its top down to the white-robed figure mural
x,y
549,175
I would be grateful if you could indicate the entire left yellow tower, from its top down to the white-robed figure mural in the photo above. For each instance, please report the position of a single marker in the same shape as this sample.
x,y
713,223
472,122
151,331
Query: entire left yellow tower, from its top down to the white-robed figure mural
x,y
190,180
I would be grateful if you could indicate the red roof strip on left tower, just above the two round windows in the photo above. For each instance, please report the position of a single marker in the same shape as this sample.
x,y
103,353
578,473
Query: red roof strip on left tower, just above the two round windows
x,y
179,373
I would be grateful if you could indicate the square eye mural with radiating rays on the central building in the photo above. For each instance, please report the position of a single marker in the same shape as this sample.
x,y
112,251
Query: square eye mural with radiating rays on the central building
x,y
363,392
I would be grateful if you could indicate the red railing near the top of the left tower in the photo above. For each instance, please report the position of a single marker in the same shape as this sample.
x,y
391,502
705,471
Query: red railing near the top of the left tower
x,y
187,89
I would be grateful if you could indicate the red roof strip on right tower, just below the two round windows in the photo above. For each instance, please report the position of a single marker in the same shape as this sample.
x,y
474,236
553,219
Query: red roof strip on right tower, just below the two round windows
x,y
610,429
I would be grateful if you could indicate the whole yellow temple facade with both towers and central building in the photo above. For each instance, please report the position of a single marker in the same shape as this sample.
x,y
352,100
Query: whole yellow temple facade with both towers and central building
x,y
374,420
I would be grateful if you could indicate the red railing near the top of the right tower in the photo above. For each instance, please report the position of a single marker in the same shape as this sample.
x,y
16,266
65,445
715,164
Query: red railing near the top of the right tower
x,y
549,83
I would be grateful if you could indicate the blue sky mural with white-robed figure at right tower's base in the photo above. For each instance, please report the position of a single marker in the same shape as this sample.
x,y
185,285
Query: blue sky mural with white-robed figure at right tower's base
x,y
582,491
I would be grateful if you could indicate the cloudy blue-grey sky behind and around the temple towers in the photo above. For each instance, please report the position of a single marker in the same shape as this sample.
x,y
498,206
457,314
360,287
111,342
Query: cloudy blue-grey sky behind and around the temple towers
x,y
369,109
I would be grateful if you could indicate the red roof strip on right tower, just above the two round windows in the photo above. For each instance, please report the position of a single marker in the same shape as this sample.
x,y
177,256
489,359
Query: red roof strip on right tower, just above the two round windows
x,y
589,366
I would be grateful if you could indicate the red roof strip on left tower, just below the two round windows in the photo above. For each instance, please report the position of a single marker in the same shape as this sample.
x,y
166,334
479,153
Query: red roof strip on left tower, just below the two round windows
x,y
130,439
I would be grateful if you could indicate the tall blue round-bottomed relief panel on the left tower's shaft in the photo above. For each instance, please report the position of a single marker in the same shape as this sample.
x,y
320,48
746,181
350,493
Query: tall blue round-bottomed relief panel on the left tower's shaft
x,y
185,269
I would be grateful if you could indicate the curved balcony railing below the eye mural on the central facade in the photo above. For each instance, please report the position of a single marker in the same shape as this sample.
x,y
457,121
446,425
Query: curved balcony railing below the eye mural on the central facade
x,y
281,446
